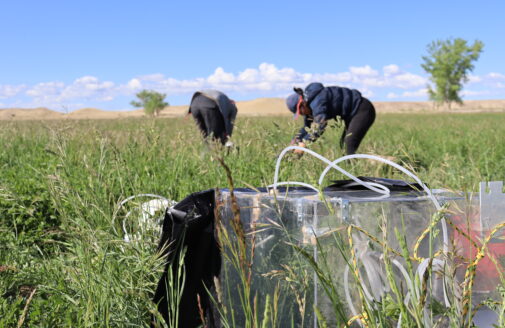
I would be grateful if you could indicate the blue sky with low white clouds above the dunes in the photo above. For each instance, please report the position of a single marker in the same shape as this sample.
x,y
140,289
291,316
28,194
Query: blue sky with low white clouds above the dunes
x,y
72,54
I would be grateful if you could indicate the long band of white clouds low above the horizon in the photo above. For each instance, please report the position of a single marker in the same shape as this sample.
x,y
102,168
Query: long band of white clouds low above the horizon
x,y
266,79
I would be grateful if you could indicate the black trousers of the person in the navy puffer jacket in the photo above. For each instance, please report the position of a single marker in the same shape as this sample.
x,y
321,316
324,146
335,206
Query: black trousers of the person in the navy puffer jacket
x,y
358,126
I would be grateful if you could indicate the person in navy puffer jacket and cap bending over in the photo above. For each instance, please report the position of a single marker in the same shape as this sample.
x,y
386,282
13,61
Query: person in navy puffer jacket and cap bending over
x,y
318,104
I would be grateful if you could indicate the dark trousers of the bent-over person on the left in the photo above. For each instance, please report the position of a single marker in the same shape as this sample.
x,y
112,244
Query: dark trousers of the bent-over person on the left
x,y
208,118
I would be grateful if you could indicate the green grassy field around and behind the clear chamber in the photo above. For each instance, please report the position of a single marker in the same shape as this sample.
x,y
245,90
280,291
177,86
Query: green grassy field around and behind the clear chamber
x,y
63,261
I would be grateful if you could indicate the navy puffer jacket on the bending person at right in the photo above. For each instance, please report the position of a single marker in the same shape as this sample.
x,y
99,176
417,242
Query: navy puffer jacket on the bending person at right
x,y
327,103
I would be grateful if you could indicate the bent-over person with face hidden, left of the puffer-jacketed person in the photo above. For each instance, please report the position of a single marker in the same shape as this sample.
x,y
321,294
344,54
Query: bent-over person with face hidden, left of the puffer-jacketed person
x,y
214,114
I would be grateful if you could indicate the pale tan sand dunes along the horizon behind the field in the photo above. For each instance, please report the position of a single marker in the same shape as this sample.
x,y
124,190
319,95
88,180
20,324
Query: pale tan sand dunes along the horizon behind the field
x,y
256,107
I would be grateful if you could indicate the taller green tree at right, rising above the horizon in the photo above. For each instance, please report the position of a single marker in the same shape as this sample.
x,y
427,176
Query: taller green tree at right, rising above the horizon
x,y
448,63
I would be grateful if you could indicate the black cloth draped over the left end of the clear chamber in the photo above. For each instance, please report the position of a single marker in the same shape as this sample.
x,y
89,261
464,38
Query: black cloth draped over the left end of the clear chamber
x,y
190,225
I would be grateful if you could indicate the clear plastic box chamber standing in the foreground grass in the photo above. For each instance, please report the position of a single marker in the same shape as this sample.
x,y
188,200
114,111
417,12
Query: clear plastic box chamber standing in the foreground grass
x,y
293,233
